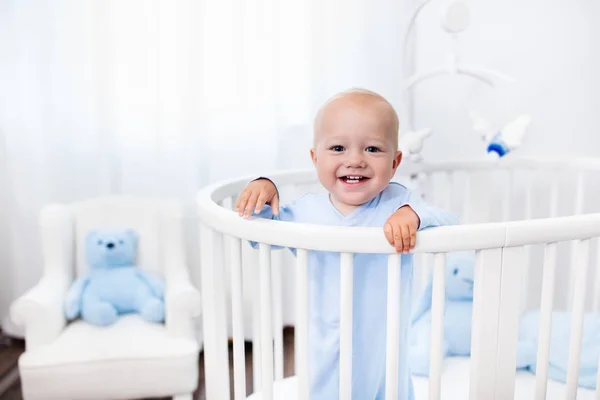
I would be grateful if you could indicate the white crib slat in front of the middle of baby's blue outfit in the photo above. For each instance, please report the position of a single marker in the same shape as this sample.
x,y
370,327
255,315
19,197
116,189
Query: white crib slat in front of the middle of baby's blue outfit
x,y
346,282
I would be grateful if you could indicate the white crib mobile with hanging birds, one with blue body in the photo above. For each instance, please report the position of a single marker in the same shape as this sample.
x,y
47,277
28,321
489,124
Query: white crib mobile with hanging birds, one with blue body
x,y
500,142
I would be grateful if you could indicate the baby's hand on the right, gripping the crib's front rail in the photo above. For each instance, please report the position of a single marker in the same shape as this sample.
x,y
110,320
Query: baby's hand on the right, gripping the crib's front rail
x,y
401,229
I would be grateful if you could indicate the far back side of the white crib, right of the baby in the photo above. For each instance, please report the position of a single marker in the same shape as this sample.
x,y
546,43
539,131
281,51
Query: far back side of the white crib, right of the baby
x,y
533,169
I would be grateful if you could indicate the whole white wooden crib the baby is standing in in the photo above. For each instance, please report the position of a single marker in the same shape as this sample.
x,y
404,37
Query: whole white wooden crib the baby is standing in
x,y
522,217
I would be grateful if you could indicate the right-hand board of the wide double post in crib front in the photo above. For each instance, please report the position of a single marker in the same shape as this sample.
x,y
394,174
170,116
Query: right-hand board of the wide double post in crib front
x,y
508,326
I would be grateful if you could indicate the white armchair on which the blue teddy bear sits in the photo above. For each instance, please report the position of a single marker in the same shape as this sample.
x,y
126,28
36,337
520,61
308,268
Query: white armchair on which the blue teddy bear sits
x,y
132,358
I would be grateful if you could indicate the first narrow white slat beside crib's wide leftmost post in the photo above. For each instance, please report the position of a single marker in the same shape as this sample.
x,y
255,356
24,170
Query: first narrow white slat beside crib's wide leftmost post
x,y
237,313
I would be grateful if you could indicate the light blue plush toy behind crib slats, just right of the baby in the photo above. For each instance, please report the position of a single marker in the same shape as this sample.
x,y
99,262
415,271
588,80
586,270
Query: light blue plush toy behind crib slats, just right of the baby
x,y
457,315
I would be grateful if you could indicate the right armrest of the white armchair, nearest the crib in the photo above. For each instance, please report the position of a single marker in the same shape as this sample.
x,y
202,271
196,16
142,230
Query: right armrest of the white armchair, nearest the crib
x,y
182,303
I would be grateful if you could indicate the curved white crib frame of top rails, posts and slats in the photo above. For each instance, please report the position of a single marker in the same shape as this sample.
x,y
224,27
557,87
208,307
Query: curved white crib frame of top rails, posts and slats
x,y
500,246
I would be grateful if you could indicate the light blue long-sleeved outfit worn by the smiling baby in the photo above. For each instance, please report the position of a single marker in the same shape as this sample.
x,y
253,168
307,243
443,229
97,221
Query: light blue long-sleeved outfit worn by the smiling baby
x,y
369,294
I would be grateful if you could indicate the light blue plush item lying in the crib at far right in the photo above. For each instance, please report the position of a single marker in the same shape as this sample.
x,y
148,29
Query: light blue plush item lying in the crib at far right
x,y
559,346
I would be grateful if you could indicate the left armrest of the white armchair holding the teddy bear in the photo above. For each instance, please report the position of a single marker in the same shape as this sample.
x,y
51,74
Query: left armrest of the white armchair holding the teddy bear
x,y
39,312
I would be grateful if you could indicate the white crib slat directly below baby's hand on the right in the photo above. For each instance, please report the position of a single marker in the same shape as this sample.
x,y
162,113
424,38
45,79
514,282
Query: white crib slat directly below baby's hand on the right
x,y
393,327
